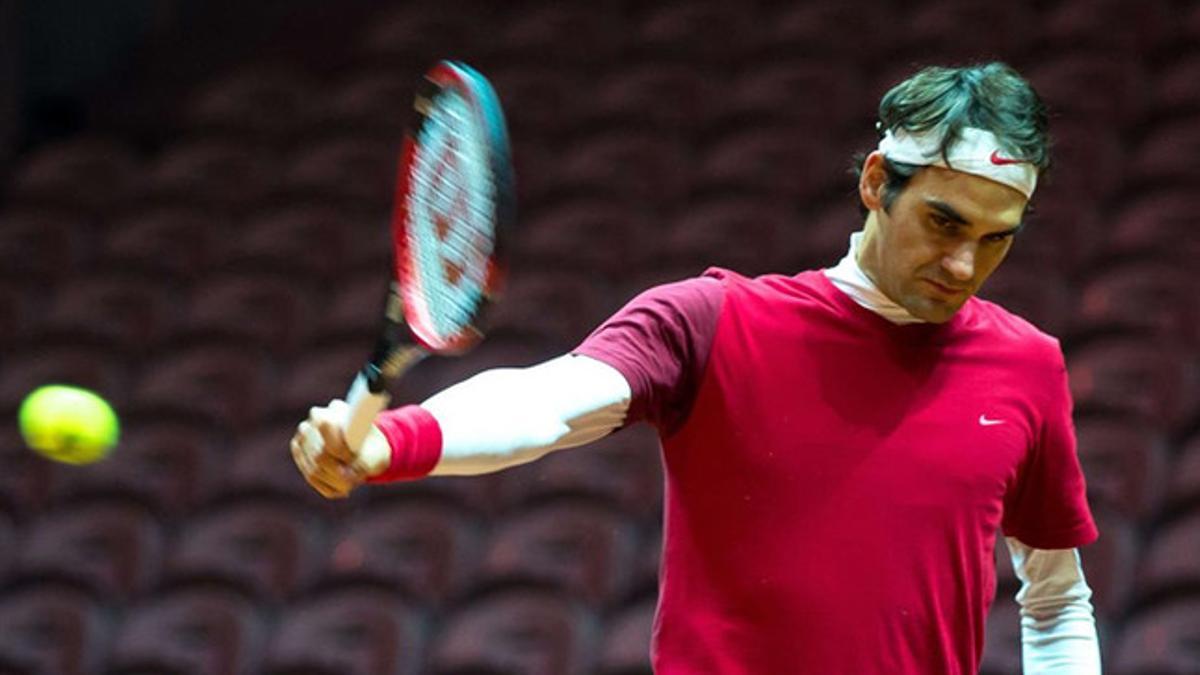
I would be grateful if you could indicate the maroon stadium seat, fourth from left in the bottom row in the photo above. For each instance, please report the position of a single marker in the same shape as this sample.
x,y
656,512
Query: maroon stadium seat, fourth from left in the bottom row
x,y
526,632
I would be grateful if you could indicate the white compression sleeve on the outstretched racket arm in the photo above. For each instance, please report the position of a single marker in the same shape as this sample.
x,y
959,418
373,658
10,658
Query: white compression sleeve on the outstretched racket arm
x,y
506,417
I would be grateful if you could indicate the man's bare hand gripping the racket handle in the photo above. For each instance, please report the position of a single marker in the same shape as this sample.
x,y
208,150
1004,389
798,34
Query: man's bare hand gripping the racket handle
x,y
323,458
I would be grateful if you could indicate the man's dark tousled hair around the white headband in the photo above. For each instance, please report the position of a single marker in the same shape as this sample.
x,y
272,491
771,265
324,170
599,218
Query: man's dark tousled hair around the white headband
x,y
989,97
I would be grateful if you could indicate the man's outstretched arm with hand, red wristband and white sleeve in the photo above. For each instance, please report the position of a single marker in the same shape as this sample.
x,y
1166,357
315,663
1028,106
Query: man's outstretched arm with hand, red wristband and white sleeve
x,y
496,420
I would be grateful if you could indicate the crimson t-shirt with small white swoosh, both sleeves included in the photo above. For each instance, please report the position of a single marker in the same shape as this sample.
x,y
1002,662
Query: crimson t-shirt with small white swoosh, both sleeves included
x,y
835,482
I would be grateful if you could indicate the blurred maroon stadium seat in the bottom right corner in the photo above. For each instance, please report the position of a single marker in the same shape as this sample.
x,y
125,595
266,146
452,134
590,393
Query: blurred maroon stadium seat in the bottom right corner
x,y
1161,640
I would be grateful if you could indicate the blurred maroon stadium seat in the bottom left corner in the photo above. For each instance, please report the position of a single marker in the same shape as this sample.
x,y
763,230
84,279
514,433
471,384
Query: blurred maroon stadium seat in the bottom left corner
x,y
52,629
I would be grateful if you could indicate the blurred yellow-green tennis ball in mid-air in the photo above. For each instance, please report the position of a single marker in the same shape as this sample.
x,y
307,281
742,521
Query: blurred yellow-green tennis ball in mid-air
x,y
69,425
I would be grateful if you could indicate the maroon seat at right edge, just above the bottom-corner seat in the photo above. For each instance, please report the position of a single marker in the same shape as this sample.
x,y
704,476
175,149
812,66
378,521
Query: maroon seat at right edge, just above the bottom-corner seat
x,y
1168,560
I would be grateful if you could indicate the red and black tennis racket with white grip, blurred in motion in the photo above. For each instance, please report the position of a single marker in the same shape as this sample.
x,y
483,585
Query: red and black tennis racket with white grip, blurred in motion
x,y
454,201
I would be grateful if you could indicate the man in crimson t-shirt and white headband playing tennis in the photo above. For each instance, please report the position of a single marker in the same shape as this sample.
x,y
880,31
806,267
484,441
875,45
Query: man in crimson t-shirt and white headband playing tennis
x,y
842,446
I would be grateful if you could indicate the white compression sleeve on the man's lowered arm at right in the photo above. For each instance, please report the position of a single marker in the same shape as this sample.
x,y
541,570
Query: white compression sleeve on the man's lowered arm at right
x,y
1058,626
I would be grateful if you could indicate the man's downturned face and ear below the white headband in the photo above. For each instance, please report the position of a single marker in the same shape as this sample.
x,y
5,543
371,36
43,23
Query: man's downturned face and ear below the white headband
x,y
943,238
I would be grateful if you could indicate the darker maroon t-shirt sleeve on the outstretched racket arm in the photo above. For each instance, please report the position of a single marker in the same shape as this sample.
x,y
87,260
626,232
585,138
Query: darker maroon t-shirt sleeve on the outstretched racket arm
x,y
661,343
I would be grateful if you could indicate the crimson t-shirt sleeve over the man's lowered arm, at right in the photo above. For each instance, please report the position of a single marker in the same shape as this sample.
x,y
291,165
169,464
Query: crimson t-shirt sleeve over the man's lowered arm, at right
x,y
1047,506
